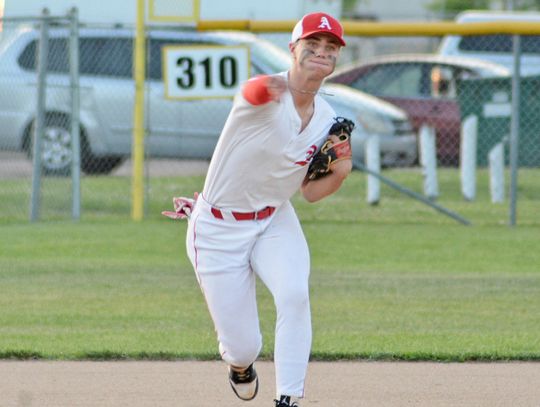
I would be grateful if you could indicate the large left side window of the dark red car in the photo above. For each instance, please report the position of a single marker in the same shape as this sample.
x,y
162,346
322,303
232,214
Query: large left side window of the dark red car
x,y
393,80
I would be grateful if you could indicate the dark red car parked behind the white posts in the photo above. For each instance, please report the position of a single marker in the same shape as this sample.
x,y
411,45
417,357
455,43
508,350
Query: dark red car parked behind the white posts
x,y
424,85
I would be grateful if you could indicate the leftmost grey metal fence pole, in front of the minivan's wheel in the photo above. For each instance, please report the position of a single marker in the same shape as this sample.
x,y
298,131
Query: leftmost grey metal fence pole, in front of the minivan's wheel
x,y
40,115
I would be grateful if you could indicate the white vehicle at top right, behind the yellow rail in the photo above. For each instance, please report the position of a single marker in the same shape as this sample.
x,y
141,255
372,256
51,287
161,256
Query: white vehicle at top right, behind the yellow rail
x,y
495,48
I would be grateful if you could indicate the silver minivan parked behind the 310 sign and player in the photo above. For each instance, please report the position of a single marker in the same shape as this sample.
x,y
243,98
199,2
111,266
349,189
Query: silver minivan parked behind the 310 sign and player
x,y
174,128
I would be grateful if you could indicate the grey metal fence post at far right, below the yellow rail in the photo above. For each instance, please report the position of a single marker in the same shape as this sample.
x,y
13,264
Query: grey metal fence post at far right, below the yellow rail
x,y
514,129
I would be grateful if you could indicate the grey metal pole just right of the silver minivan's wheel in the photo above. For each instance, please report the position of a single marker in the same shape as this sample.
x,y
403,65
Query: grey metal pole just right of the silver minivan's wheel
x,y
75,102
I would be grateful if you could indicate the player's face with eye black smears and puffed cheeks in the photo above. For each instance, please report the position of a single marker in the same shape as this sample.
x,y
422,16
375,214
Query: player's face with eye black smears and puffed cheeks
x,y
318,53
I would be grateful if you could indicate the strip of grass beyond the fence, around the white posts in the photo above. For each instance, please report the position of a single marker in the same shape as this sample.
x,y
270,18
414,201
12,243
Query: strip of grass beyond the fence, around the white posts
x,y
109,198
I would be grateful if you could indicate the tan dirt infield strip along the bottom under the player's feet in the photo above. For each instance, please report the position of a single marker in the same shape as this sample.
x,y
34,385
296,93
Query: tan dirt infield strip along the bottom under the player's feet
x,y
329,384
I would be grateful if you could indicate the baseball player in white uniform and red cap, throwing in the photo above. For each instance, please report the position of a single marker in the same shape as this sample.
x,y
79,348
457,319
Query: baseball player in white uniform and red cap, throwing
x,y
243,225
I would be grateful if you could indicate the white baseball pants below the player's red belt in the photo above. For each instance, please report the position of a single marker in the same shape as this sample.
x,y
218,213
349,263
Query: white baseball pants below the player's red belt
x,y
227,255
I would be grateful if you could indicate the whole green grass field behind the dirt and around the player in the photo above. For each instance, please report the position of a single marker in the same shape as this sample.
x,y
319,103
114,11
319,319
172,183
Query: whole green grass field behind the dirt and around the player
x,y
394,281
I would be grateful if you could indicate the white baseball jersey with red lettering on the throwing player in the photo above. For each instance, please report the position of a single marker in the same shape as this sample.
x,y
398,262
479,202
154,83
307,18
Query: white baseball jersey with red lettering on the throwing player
x,y
262,157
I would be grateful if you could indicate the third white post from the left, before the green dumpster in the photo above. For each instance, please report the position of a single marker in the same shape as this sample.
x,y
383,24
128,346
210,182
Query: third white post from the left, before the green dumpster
x,y
469,131
